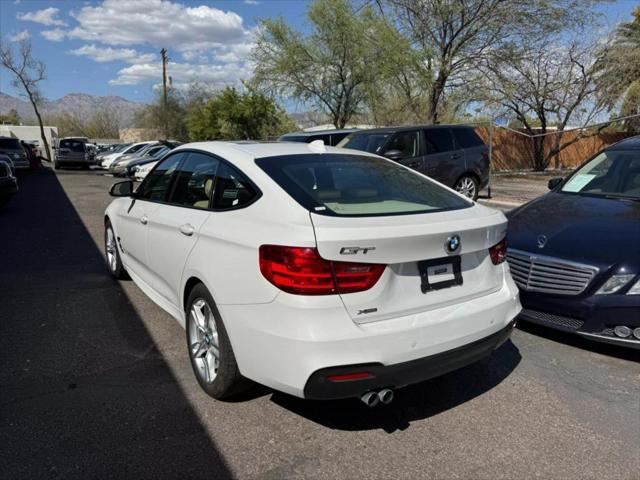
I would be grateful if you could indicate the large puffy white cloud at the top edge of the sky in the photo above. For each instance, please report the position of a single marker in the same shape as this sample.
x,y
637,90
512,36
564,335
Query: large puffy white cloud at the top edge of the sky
x,y
159,23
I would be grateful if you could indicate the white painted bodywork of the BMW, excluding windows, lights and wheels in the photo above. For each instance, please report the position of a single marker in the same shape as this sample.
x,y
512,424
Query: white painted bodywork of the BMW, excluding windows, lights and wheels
x,y
280,339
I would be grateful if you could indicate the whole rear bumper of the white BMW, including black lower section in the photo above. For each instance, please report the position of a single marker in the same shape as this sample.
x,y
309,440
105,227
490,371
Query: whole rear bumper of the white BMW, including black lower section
x,y
288,343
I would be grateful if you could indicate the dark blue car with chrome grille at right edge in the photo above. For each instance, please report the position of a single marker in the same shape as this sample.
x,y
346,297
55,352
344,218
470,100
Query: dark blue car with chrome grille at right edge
x,y
575,252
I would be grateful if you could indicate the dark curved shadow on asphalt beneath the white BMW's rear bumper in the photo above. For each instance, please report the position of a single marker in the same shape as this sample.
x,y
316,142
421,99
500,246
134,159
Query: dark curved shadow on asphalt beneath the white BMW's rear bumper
x,y
412,403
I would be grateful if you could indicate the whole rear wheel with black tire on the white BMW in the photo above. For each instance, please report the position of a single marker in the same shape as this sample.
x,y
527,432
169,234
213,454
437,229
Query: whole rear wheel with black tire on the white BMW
x,y
210,352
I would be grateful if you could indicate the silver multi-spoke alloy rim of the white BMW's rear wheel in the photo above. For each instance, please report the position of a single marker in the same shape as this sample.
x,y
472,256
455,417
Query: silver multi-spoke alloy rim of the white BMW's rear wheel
x,y
204,346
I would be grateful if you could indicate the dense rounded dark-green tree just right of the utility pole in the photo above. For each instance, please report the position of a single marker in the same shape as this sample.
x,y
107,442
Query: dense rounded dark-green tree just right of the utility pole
x,y
232,115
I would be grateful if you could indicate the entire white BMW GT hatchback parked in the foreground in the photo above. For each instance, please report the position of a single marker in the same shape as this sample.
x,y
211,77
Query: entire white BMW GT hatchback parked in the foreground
x,y
320,272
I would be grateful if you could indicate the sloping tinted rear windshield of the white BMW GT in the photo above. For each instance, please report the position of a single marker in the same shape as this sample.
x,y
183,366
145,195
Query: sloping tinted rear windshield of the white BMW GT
x,y
356,185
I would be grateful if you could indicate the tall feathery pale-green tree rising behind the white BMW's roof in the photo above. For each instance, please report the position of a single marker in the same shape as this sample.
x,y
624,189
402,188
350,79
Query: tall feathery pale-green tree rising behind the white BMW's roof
x,y
334,66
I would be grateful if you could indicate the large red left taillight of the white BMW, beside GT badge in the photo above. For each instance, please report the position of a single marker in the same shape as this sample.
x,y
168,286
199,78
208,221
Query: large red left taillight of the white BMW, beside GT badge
x,y
302,271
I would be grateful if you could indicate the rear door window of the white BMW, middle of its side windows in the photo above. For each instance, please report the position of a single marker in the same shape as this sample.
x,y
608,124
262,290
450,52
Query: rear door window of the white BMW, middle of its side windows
x,y
194,181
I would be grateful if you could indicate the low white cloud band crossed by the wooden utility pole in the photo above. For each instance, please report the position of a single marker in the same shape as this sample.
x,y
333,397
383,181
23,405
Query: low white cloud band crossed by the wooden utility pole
x,y
183,74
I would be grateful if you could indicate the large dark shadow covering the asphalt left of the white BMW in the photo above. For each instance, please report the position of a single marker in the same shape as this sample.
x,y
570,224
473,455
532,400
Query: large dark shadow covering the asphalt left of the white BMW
x,y
84,393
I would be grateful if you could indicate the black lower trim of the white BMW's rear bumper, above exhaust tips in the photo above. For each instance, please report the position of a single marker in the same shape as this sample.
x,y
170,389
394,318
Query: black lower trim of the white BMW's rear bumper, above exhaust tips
x,y
320,387
